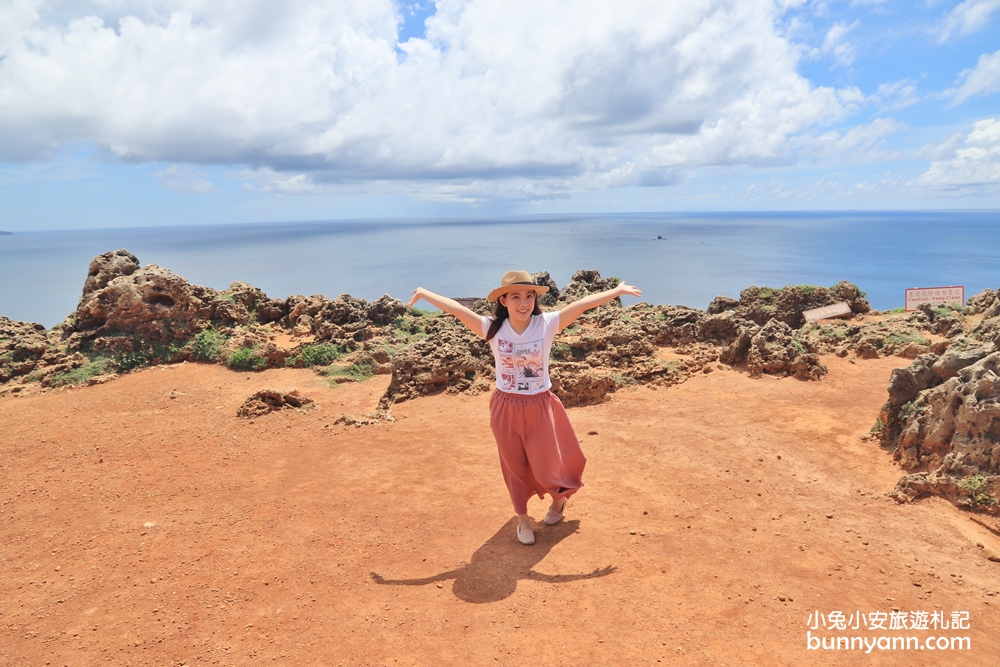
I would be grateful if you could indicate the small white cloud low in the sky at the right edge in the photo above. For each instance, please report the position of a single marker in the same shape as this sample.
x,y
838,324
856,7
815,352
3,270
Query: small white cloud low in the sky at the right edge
x,y
971,169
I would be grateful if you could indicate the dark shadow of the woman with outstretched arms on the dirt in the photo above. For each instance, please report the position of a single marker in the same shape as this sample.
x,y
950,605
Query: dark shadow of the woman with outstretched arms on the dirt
x,y
499,564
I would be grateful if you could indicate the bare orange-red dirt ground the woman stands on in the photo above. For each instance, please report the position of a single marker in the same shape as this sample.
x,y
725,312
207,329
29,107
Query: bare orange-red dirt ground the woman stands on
x,y
144,524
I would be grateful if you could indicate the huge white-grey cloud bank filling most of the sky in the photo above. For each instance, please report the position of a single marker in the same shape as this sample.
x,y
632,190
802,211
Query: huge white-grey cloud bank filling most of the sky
x,y
504,96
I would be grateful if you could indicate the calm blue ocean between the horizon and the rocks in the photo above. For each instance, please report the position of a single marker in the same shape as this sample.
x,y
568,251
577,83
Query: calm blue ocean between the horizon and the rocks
x,y
677,258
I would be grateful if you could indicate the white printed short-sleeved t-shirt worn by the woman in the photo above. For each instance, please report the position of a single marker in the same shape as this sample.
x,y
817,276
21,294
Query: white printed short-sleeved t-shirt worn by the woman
x,y
522,360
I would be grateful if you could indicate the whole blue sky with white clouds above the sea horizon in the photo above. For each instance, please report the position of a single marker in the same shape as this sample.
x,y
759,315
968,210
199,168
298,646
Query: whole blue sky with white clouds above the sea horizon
x,y
141,112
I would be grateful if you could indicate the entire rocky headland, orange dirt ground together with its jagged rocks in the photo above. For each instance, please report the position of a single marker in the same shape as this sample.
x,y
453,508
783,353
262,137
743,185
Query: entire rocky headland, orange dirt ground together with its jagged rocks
x,y
196,476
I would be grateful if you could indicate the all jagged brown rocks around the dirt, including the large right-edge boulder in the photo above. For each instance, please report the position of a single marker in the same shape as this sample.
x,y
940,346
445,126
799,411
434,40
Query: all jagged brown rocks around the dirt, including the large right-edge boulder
x,y
941,419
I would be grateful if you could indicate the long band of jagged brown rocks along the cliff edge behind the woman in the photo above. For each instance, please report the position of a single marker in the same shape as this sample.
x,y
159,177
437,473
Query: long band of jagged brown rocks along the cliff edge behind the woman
x,y
130,316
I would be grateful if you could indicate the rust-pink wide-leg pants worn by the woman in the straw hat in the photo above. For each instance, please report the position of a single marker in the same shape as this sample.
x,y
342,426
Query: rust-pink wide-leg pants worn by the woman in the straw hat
x,y
539,450
